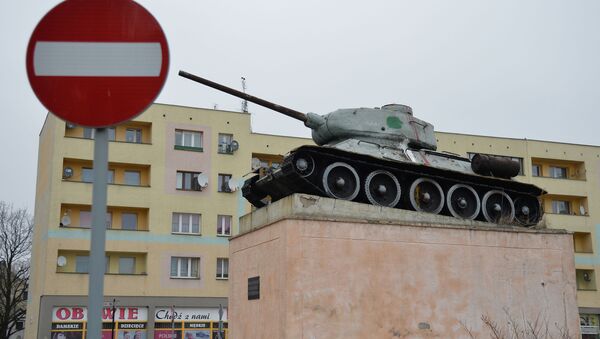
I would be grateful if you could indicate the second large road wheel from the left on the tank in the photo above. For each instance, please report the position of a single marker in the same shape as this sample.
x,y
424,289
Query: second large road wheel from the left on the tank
x,y
382,188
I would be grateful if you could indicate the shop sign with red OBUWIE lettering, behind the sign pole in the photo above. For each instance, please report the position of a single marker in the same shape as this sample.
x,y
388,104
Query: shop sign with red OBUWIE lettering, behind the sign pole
x,y
70,322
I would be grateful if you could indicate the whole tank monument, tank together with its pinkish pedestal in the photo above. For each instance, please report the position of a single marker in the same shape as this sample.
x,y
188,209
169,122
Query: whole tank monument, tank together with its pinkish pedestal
x,y
374,233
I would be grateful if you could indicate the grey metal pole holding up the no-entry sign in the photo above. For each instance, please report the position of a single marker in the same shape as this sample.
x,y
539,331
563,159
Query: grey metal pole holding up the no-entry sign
x,y
97,264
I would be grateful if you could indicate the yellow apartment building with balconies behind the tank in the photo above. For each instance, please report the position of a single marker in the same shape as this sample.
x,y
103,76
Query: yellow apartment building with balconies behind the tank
x,y
174,201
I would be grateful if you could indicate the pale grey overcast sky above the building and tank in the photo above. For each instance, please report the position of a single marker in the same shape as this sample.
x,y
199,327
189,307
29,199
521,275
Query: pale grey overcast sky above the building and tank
x,y
510,68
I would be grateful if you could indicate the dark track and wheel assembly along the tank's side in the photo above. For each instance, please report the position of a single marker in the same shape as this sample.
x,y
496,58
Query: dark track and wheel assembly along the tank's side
x,y
330,172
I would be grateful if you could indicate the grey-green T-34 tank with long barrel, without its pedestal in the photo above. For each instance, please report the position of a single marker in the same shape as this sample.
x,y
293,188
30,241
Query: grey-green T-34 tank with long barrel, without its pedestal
x,y
385,156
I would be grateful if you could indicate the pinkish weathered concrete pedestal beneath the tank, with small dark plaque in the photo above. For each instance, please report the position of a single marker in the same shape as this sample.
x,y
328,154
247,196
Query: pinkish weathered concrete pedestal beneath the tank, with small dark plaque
x,y
336,269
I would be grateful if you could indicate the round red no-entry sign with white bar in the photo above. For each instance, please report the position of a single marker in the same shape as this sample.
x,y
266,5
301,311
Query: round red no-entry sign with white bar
x,y
97,63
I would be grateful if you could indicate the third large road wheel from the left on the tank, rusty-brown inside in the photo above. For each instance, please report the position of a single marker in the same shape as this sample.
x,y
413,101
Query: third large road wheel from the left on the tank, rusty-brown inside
x,y
426,195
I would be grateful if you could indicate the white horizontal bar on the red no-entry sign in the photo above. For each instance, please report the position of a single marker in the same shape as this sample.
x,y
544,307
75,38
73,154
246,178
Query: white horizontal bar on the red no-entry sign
x,y
114,59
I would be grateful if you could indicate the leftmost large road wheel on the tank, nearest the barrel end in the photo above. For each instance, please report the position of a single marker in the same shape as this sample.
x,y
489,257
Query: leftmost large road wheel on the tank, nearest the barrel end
x,y
341,181
